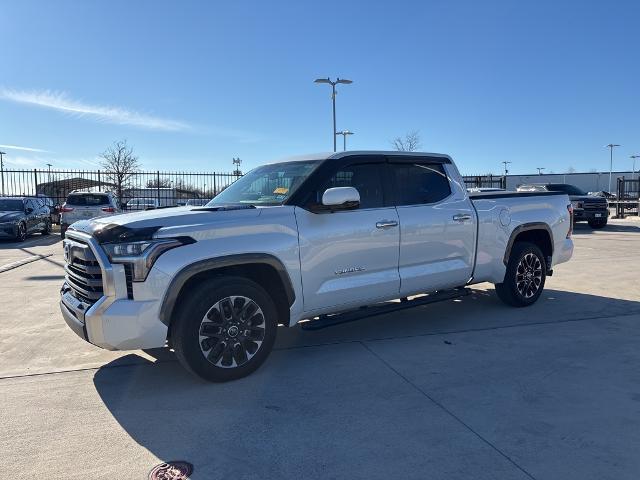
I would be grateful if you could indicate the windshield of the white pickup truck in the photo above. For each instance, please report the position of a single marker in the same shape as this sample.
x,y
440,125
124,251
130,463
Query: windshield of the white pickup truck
x,y
266,185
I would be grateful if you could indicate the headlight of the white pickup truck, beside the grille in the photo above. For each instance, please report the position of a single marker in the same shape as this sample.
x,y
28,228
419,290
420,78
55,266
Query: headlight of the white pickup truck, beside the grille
x,y
141,255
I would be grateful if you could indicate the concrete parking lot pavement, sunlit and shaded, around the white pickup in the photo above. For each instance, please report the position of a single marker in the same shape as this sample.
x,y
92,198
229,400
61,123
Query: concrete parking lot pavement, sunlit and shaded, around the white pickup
x,y
467,388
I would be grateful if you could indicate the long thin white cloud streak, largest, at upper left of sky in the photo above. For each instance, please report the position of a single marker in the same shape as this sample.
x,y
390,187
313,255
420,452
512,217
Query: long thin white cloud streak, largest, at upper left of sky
x,y
118,115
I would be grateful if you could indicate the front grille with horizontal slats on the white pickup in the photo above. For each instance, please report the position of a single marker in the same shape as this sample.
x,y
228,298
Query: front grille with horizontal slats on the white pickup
x,y
83,273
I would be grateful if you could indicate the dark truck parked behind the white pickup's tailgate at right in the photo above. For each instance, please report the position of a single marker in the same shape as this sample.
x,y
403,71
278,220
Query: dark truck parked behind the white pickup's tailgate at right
x,y
586,208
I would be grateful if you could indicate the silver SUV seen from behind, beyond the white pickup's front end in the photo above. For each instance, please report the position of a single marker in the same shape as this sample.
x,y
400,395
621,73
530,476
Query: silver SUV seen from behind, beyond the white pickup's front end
x,y
85,205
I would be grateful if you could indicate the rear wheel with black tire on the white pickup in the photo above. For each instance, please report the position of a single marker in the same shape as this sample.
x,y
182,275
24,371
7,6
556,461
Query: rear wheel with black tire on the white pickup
x,y
525,276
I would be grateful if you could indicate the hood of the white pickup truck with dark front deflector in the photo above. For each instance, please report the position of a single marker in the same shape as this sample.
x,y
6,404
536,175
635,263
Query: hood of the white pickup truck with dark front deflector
x,y
109,228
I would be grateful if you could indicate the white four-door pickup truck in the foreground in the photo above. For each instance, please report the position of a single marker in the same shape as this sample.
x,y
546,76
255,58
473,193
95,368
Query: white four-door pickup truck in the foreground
x,y
309,238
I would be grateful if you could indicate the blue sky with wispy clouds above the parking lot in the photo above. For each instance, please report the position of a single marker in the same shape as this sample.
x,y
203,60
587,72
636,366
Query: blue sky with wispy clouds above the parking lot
x,y
192,84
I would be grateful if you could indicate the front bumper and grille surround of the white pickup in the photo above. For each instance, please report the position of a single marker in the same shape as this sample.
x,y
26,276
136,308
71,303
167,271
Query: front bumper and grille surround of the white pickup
x,y
114,322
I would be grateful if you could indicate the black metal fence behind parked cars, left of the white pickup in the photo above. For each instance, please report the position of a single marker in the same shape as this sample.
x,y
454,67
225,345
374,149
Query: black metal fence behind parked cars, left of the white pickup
x,y
168,188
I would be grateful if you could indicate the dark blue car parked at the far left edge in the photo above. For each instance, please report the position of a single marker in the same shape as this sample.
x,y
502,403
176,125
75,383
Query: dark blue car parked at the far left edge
x,y
21,216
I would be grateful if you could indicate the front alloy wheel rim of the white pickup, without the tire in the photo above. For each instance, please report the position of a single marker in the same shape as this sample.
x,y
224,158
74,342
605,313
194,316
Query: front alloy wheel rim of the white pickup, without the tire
x,y
232,332
